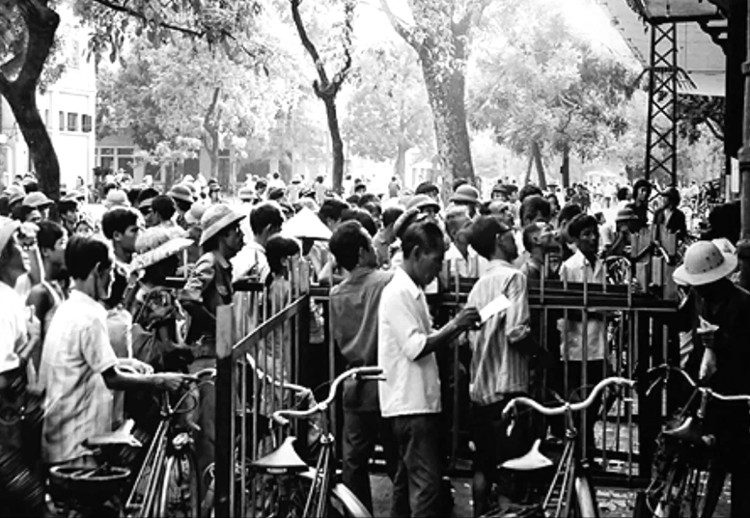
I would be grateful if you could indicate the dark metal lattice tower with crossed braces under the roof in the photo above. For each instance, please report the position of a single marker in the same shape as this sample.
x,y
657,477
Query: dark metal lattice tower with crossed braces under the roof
x,y
661,133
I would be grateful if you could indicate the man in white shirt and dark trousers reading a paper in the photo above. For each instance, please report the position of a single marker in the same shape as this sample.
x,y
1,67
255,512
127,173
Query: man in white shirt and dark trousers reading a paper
x,y
410,396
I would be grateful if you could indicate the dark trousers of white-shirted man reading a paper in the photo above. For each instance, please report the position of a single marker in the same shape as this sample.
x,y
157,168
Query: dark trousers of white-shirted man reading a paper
x,y
416,486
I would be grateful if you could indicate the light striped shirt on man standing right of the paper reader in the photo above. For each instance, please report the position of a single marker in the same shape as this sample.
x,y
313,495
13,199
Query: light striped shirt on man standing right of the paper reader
x,y
497,368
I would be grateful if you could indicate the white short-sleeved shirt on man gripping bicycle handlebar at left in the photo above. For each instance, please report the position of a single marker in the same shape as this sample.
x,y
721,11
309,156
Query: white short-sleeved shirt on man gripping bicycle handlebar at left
x,y
76,352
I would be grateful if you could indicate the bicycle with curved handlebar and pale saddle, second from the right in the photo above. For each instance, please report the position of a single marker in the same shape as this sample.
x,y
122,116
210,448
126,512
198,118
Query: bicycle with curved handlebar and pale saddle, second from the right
x,y
570,493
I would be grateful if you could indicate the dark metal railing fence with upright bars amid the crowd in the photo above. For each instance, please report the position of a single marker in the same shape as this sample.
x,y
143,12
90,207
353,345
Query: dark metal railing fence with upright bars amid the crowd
x,y
263,337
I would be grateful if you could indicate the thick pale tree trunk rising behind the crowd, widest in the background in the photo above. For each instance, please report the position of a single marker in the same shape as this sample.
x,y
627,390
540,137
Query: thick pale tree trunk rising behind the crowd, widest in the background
x,y
446,96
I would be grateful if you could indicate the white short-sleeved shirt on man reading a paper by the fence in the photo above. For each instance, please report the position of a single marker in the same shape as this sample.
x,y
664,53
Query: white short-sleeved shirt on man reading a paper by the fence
x,y
412,386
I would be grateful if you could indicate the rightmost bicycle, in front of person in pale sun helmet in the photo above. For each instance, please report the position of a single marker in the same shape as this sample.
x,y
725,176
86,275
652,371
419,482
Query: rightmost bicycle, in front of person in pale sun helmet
x,y
679,485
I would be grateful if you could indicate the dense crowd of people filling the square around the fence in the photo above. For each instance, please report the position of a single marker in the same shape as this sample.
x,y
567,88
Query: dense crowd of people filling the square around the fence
x,y
104,302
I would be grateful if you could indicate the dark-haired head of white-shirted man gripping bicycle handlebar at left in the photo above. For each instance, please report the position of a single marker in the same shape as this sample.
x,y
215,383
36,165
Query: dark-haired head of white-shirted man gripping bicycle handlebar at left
x,y
89,262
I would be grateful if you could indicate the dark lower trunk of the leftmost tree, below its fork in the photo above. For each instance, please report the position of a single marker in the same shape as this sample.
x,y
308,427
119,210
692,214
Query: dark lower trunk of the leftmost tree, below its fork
x,y
43,156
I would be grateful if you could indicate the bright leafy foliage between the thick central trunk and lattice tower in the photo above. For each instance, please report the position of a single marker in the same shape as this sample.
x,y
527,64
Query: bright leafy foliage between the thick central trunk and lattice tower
x,y
539,86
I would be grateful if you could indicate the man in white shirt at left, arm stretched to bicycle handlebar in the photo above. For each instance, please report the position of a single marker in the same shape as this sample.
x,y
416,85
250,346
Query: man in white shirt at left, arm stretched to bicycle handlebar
x,y
78,363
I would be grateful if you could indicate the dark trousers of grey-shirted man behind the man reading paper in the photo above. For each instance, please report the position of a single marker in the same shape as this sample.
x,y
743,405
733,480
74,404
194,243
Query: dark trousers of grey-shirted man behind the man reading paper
x,y
362,430
